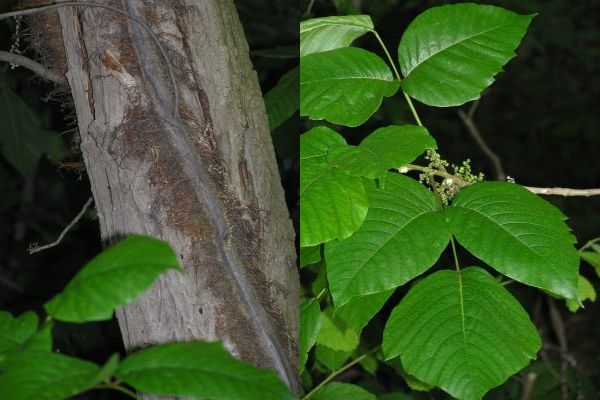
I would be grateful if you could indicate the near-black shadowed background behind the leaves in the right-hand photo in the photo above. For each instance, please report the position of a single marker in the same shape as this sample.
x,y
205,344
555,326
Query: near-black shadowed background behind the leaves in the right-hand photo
x,y
541,117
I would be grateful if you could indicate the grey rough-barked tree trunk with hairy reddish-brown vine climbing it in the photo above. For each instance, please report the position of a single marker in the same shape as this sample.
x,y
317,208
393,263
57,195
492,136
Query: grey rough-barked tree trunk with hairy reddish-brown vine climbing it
x,y
202,177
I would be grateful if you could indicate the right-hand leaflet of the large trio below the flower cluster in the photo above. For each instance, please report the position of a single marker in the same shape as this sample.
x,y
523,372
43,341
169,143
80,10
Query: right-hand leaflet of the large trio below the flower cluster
x,y
517,233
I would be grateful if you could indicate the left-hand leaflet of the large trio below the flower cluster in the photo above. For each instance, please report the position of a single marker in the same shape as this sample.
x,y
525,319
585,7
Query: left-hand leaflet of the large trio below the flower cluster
x,y
402,236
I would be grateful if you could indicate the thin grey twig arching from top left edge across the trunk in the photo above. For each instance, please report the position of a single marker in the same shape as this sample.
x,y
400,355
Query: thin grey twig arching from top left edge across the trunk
x,y
144,25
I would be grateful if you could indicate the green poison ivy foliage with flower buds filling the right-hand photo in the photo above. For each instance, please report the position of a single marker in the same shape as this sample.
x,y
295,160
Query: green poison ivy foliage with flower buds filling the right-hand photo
x,y
372,228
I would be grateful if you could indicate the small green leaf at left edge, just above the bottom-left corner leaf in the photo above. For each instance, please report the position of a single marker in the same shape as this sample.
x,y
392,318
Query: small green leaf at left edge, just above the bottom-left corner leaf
x,y
14,332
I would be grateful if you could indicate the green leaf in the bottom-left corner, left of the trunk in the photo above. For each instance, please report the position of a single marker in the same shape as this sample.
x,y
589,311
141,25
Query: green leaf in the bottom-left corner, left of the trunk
x,y
45,376
